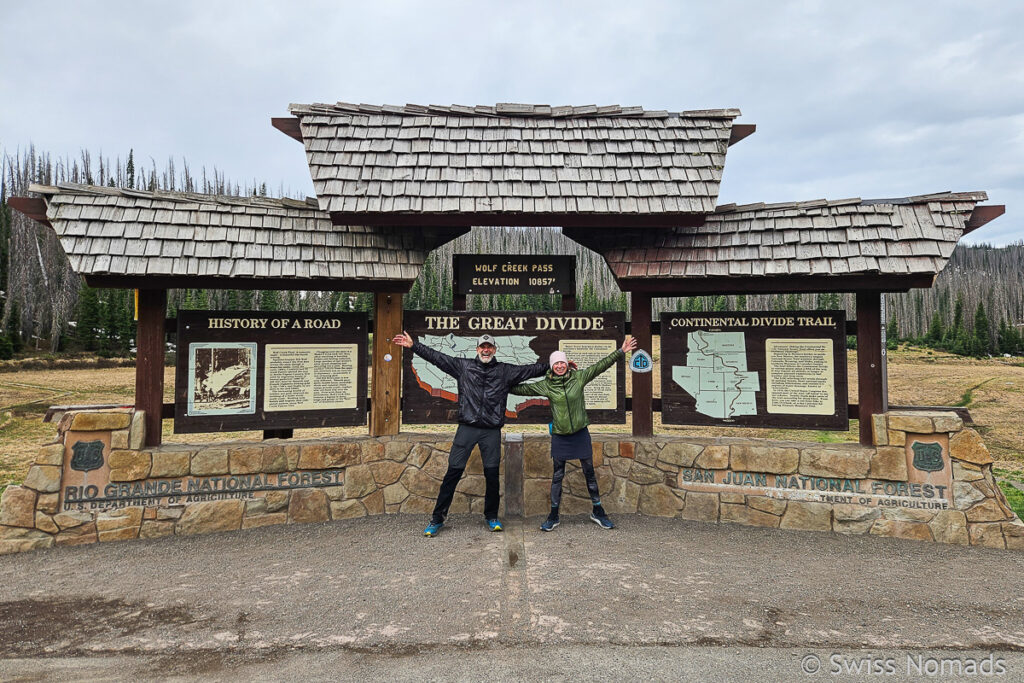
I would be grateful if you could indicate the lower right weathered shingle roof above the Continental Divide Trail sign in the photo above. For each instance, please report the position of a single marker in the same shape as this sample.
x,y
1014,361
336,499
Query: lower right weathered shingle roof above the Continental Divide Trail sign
x,y
910,236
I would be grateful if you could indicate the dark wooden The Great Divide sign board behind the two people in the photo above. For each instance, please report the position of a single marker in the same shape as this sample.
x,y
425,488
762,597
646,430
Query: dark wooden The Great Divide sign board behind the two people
x,y
431,397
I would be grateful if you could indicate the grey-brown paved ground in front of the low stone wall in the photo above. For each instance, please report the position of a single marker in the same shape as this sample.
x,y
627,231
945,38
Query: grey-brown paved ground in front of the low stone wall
x,y
303,601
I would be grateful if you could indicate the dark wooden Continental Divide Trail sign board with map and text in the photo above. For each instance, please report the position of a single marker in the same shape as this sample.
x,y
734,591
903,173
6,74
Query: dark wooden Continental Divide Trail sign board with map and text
x,y
755,369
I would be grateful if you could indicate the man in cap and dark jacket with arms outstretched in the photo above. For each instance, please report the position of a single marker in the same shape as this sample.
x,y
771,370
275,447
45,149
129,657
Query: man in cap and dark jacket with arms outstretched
x,y
484,390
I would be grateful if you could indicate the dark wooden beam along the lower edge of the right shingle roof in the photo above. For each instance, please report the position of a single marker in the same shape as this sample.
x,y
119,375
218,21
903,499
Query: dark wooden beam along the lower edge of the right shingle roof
x,y
776,284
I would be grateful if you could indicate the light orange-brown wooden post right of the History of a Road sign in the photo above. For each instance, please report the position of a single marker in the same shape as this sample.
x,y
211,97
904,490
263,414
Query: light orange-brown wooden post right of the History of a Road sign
x,y
386,409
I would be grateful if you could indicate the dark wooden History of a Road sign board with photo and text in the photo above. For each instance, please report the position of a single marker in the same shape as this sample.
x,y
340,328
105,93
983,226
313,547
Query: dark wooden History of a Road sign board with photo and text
x,y
260,370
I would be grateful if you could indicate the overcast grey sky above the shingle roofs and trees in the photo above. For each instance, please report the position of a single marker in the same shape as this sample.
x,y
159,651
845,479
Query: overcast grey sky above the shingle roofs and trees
x,y
870,100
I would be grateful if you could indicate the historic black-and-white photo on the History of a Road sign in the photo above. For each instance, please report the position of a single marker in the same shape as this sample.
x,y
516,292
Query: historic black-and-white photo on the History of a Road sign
x,y
223,379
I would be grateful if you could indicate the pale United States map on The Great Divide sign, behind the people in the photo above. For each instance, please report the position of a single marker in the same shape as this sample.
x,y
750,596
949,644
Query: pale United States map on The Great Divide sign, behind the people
x,y
513,350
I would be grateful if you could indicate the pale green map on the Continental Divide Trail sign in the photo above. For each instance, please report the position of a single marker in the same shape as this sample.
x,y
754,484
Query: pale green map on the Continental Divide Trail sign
x,y
716,374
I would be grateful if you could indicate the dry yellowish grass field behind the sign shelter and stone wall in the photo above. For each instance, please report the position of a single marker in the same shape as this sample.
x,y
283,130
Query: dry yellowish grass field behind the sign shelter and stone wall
x,y
992,390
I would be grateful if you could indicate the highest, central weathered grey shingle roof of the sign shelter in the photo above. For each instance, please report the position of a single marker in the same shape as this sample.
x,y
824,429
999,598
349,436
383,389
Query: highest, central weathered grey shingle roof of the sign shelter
x,y
515,159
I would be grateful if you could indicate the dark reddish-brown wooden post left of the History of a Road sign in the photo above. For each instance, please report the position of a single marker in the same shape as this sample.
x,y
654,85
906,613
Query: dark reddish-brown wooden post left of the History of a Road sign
x,y
150,362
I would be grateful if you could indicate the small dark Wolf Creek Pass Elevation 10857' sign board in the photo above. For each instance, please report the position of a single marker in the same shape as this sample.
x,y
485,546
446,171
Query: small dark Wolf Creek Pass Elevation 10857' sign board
x,y
501,274
